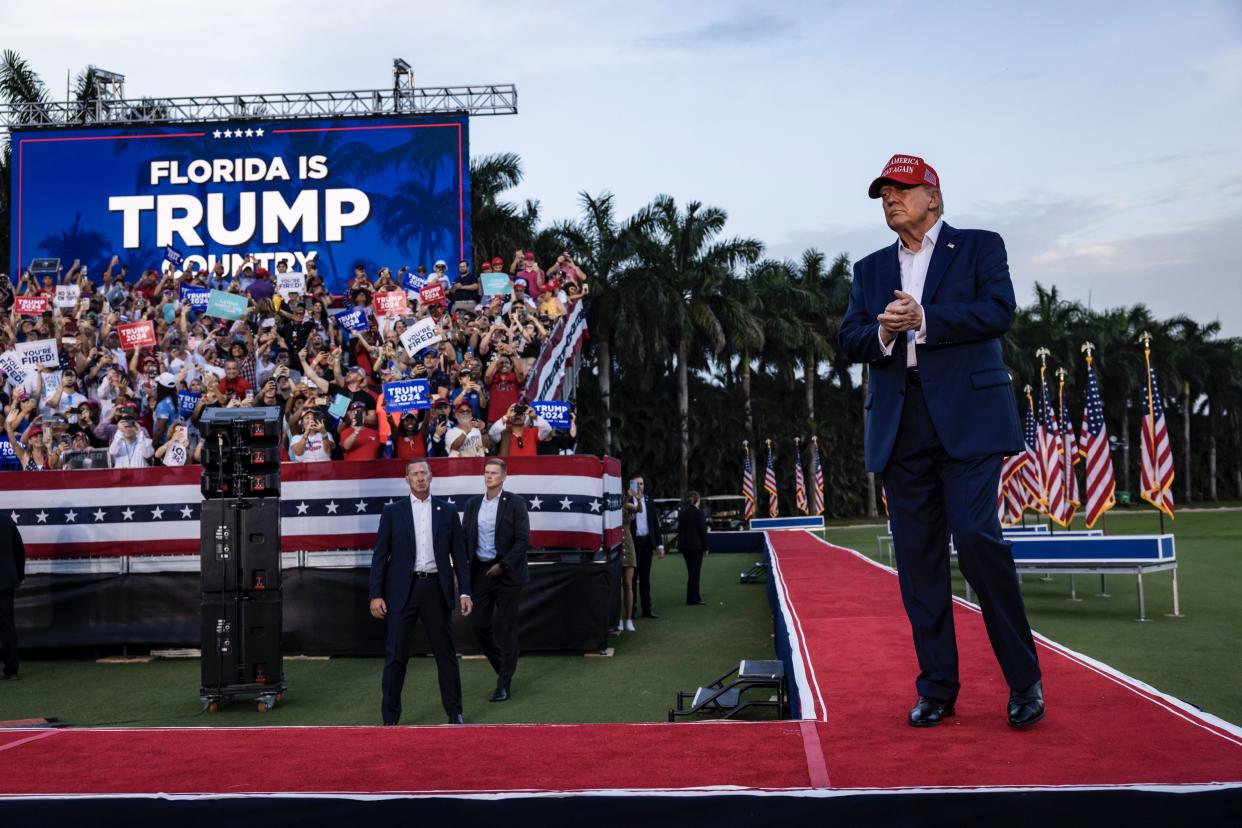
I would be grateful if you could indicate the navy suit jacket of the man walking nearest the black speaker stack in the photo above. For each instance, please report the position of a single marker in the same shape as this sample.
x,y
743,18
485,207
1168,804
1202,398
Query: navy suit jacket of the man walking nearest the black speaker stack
x,y
394,557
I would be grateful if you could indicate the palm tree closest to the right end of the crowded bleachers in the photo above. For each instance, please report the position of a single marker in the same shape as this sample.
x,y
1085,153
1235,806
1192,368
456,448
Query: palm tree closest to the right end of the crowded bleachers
x,y
602,246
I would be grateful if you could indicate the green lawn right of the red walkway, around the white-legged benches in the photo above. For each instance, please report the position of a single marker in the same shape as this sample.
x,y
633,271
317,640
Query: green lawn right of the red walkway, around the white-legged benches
x,y
1194,659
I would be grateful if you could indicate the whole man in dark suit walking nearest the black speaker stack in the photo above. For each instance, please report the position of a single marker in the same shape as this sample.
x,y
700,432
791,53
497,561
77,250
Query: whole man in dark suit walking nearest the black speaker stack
x,y
419,549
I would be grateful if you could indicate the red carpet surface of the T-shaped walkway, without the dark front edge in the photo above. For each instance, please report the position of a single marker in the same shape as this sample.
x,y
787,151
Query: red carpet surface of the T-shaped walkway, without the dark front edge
x,y
1101,731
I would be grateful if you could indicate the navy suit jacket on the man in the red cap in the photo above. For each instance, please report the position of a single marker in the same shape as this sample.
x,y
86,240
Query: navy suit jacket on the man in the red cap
x,y
968,304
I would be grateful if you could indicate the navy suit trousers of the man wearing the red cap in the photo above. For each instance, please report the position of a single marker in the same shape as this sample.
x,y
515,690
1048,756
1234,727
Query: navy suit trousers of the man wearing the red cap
x,y
931,497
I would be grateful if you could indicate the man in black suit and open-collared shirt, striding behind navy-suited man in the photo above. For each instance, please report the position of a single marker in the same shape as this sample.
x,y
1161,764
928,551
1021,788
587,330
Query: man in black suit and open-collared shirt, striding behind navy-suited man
x,y
497,538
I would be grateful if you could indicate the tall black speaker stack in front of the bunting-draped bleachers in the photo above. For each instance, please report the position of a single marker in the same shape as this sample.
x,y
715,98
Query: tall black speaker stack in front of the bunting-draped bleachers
x,y
240,557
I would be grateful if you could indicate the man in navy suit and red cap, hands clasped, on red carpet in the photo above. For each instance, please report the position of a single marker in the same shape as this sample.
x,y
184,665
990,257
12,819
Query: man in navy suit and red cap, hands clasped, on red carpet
x,y
927,315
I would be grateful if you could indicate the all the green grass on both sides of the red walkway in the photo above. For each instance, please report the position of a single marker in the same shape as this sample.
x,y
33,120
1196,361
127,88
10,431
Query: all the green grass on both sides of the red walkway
x,y
1194,657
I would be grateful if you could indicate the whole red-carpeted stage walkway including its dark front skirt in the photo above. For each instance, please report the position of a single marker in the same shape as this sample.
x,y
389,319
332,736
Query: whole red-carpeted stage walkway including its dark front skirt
x,y
1110,748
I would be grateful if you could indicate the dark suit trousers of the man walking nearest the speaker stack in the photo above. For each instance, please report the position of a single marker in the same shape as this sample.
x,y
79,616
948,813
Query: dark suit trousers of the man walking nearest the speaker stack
x,y
427,604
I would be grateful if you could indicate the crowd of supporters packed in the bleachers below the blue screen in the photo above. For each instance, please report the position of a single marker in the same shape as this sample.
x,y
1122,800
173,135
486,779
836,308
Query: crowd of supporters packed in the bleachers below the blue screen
x,y
105,405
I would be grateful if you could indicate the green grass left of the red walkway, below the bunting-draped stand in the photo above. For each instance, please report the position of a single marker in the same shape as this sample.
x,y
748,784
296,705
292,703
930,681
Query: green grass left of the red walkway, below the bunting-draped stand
x,y
682,650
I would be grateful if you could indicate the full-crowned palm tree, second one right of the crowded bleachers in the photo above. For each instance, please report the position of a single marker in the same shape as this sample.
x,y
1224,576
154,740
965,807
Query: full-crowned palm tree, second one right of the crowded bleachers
x,y
684,265
